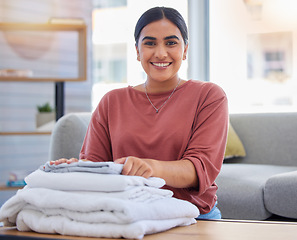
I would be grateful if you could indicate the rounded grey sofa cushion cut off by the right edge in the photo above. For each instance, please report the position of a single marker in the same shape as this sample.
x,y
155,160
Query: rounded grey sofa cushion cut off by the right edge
x,y
280,194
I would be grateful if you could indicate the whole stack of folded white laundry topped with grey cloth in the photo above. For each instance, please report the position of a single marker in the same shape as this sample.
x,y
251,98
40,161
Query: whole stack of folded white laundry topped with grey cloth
x,y
93,199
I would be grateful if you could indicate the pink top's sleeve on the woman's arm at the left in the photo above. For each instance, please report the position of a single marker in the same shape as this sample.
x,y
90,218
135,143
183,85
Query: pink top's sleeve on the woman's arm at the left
x,y
96,146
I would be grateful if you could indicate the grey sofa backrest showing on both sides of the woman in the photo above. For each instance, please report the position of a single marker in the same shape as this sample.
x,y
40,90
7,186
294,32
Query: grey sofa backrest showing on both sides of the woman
x,y
267,138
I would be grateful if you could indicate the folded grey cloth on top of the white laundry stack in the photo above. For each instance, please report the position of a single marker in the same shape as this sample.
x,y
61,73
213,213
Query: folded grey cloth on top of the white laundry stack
x,y
84,166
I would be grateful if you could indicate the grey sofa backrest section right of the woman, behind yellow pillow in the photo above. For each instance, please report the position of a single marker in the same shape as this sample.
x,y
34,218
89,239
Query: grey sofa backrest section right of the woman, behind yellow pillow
x,y
268,138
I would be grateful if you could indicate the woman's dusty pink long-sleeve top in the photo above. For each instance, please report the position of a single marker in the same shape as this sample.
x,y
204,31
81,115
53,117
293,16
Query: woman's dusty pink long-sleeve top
x,y
192,125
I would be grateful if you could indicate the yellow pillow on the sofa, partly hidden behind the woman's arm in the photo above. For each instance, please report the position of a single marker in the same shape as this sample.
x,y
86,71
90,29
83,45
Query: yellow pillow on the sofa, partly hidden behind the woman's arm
x,y
234,146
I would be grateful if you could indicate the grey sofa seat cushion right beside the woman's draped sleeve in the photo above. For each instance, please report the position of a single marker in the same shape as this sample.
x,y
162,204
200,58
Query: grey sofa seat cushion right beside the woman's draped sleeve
x,y
241,187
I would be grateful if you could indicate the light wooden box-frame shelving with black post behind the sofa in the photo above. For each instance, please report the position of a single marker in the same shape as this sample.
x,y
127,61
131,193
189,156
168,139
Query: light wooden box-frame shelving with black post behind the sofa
x,y
81,63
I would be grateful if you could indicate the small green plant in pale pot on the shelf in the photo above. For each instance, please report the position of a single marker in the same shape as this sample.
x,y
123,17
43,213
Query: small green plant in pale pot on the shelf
x,y
45,115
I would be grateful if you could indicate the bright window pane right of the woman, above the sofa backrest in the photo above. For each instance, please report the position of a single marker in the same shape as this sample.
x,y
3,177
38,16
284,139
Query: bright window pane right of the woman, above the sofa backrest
x,y
252,53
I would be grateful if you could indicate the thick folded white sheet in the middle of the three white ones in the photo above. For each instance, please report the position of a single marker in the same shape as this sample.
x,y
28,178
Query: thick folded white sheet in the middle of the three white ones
x,y
90,208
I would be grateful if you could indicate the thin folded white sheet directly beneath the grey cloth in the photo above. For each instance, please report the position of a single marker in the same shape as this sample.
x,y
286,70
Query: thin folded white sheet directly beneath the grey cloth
x,y
84,181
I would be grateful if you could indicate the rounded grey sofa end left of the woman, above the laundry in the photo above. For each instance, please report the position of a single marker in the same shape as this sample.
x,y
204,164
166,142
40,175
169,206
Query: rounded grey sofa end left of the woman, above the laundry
x,y
68,135
